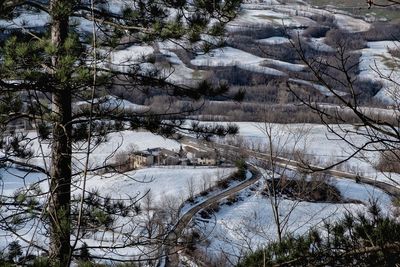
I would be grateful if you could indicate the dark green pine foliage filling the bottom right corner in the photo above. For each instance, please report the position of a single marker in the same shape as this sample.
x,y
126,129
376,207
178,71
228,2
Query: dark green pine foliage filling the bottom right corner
x,y
355,240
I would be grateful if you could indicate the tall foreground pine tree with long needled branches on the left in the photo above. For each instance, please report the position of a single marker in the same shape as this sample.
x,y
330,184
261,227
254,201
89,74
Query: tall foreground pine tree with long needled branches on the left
x,y
45,69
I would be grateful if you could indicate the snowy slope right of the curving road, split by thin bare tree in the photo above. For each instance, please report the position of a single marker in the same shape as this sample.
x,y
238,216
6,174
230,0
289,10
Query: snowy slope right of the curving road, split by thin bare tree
x,y
249,224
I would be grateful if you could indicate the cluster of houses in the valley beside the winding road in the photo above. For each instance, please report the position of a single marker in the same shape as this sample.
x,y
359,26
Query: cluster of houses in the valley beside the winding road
x,y
162,156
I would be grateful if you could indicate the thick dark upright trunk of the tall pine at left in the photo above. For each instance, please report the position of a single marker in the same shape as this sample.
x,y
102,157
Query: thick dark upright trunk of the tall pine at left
x,y
60,186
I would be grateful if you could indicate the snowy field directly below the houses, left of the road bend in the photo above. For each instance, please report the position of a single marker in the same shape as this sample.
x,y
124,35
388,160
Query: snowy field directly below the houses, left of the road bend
x,y
161,182
